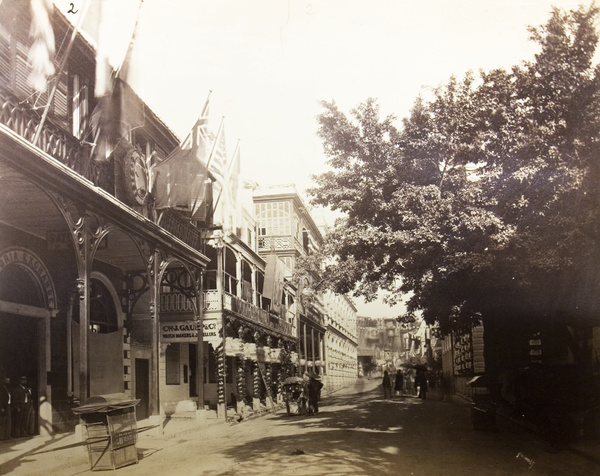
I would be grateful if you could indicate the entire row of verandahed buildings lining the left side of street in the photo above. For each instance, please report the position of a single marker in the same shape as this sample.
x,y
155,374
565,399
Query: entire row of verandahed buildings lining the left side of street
x,y
104,291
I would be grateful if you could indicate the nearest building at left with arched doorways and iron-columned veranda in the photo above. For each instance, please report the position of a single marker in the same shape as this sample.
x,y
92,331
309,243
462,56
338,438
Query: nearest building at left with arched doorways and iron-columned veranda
x,y
86,270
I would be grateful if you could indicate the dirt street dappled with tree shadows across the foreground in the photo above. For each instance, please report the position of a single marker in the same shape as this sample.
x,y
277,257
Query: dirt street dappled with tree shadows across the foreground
x,y
353,434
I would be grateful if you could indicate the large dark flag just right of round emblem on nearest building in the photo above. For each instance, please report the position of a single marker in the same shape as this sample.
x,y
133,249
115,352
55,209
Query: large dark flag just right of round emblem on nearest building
x,y
180,180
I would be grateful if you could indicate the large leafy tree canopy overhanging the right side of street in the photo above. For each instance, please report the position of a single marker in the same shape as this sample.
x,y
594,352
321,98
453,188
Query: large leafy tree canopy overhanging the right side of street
x,y
485,200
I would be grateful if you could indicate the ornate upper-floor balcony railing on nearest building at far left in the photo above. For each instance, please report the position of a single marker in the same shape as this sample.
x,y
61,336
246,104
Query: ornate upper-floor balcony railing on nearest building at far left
x,y
62,146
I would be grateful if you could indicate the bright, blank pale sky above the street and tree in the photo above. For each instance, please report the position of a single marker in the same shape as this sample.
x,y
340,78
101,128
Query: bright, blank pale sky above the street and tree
x,y
270,62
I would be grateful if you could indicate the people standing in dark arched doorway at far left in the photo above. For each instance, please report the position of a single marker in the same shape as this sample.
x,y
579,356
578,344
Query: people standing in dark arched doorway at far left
x,y
16,409
